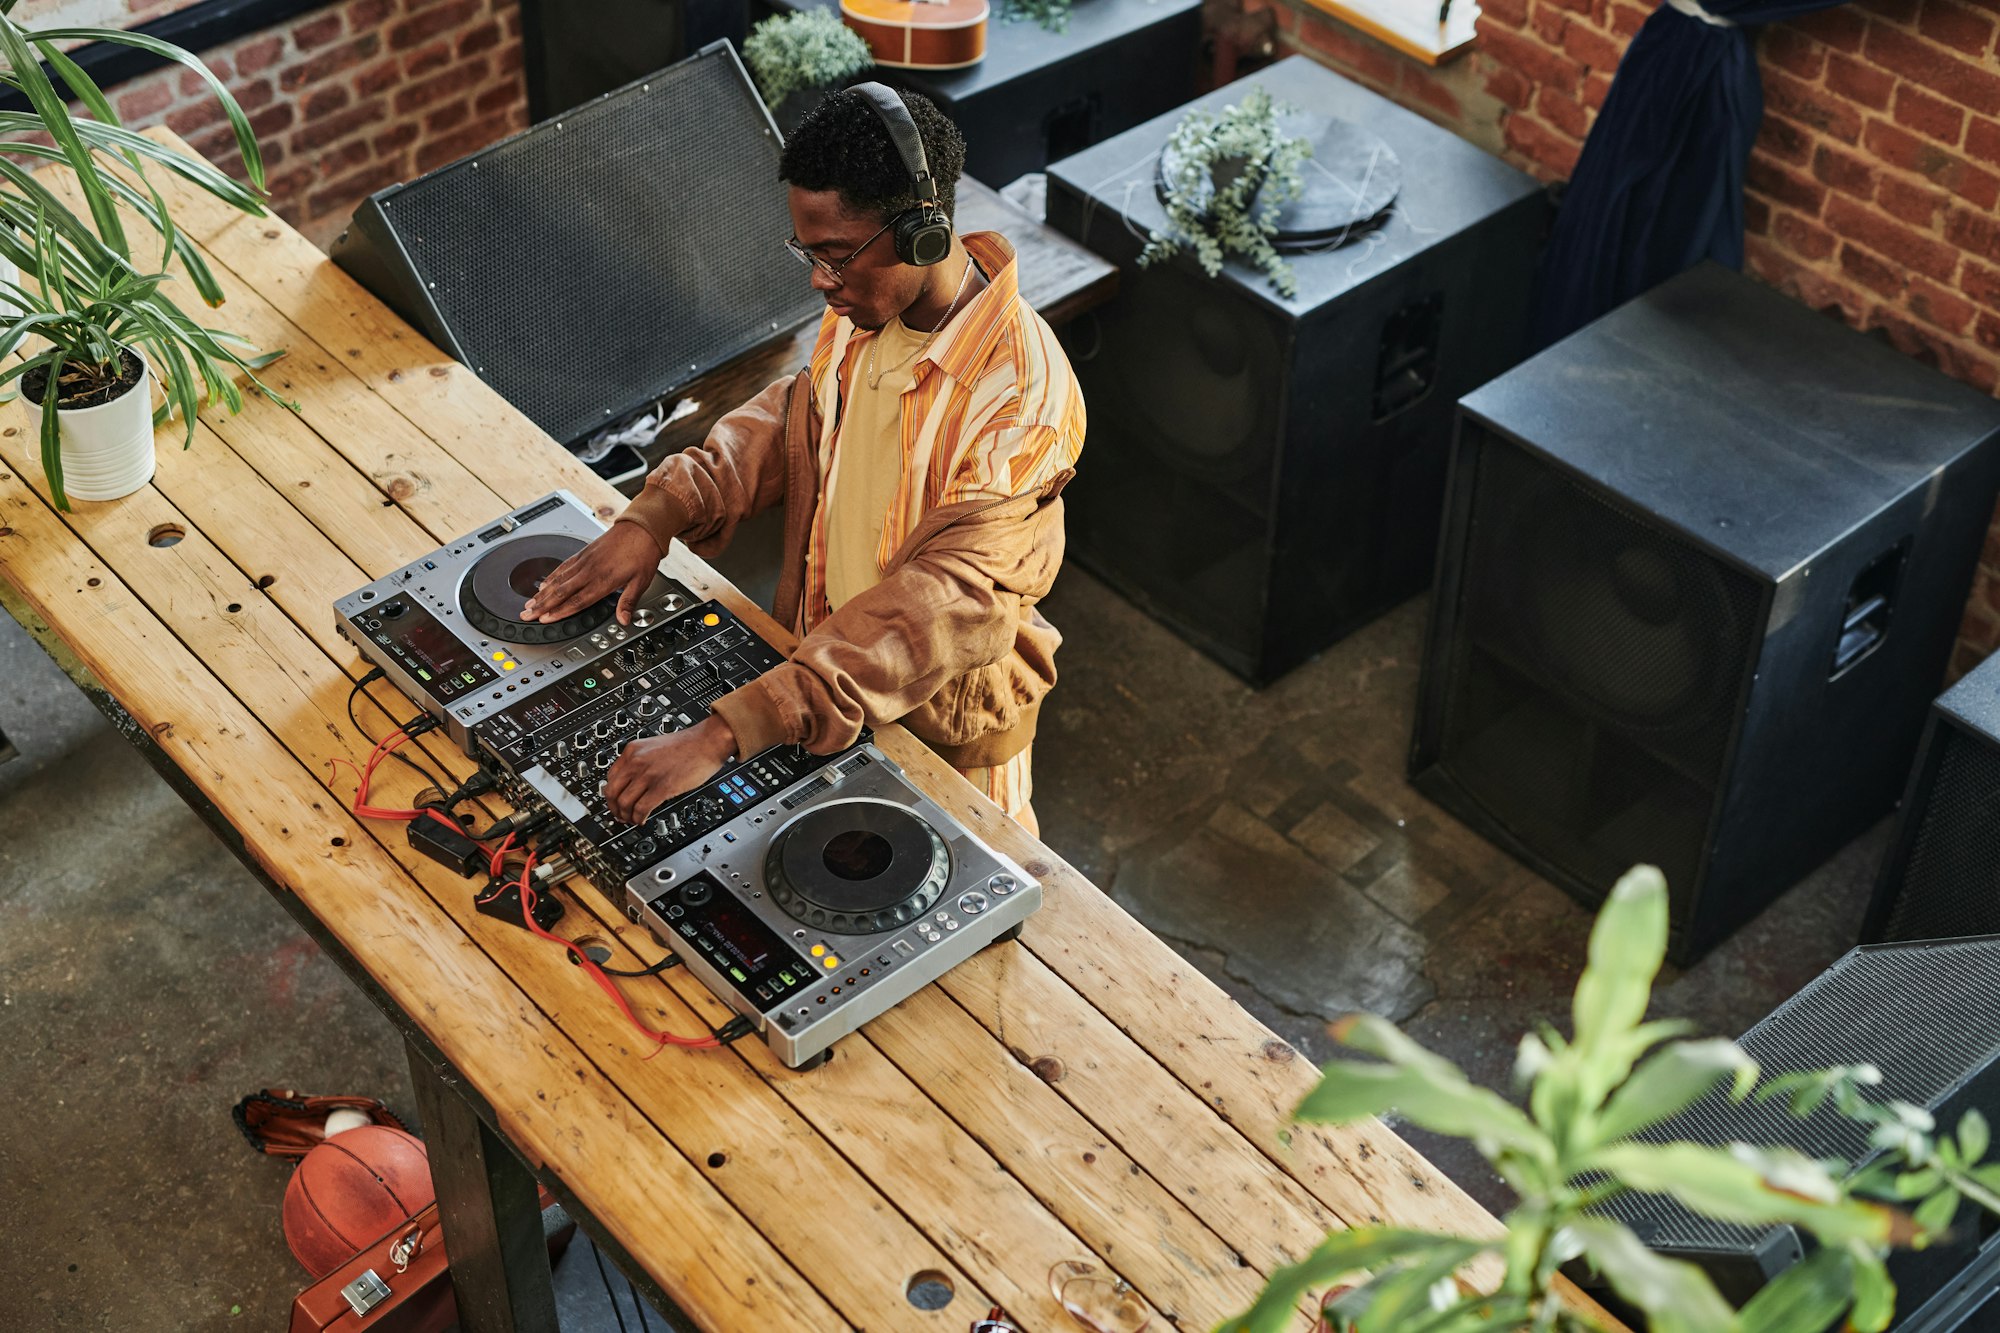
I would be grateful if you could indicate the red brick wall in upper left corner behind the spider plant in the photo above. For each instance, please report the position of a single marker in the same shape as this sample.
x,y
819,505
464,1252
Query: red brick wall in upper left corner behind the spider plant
x,y
349,99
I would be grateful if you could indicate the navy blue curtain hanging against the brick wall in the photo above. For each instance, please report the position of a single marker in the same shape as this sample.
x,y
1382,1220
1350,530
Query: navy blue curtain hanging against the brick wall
x,y
1661,181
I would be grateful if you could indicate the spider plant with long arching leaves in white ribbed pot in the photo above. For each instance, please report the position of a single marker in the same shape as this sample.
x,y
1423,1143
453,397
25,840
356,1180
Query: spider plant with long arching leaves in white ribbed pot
x,y
87,327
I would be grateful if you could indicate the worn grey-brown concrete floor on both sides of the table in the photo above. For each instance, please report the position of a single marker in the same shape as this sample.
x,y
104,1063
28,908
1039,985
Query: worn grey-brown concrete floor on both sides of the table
x,y
147,982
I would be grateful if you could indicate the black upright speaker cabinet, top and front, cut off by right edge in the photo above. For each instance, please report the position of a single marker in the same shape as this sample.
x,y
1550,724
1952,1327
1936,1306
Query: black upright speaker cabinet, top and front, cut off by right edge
x,y
1943,872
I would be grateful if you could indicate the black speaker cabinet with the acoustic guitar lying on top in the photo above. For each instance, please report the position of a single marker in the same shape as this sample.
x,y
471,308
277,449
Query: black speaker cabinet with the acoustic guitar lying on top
x,y
1039,97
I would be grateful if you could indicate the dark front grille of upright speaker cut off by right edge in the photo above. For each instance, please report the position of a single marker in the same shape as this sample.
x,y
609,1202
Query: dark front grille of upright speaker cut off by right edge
x,y
1951,884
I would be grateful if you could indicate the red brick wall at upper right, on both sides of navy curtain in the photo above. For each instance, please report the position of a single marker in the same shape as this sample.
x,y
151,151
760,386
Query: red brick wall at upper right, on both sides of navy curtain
x,y
1873,189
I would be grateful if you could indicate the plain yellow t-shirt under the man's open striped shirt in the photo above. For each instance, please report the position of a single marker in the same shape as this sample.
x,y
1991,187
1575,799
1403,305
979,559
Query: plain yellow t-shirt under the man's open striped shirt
x,y
867,463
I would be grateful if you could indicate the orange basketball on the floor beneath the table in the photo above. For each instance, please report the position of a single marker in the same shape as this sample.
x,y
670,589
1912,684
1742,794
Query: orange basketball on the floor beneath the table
x,y
353,1190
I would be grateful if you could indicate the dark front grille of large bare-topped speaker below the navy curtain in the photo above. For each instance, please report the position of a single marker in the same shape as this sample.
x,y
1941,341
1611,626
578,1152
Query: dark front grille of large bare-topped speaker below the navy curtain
x,y
1593,690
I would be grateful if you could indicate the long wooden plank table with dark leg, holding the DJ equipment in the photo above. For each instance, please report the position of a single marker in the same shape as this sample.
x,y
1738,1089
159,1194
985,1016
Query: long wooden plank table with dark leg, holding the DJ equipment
x,y
1081,1094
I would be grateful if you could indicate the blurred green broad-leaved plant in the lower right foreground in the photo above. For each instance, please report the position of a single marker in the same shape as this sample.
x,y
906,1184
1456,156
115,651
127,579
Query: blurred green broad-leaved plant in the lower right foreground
x,y
1575,1148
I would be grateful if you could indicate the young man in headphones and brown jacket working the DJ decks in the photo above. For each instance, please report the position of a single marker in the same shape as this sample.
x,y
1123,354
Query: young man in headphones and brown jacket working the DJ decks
x,y
919,461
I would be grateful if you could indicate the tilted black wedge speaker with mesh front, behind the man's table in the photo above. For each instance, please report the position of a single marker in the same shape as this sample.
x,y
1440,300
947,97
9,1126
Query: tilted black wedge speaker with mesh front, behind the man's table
x,y
605,259
